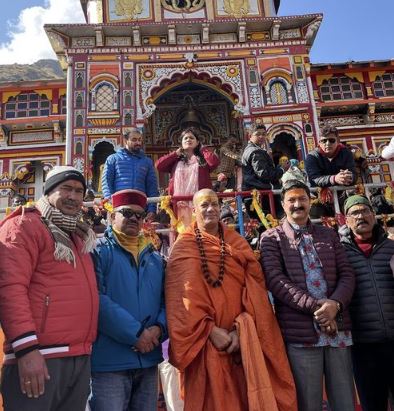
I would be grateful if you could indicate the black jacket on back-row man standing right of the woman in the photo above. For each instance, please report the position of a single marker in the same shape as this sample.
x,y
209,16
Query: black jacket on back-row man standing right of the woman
x,y
258,169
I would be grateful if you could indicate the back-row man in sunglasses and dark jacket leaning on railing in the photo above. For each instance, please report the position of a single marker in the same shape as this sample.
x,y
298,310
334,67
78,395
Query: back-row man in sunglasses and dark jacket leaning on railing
x,y
331,163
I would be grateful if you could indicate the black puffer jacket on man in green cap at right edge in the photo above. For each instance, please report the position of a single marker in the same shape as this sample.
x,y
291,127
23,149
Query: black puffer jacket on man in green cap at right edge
x,y
372,306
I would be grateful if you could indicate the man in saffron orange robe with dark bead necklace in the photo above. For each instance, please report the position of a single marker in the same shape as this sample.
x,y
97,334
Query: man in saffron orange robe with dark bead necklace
x,y
224,337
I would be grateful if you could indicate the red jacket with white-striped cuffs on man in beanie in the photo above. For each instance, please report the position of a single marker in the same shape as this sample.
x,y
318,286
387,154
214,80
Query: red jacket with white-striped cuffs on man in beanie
x,y
44,303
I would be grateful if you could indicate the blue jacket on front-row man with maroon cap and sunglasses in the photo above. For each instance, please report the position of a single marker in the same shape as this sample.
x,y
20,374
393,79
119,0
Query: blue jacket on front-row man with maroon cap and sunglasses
x,y
131,298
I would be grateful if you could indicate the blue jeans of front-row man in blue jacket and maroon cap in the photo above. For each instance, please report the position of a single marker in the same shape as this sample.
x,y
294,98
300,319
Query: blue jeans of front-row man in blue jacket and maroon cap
x,y
130,390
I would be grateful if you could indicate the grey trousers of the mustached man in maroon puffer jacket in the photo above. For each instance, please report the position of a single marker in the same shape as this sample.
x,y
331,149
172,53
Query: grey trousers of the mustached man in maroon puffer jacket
x,y
310,364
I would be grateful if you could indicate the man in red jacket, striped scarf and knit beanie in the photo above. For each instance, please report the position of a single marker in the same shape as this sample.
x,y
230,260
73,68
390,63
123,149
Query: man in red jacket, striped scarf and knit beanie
x,y
48,299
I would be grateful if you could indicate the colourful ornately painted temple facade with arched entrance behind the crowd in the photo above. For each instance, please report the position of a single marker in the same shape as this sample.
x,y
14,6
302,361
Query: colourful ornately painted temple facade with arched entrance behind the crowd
x,y
162,65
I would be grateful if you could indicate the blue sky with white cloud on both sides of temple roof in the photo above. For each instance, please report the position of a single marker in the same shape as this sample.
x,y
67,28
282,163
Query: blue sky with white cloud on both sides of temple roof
x,y
356,30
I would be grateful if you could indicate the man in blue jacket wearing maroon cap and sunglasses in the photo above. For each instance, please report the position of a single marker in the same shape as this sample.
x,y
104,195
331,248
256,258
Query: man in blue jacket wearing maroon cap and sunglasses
x,y
132,320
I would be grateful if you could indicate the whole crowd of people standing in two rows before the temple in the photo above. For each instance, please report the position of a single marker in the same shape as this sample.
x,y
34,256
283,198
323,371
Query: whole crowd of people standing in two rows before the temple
x,y
88,321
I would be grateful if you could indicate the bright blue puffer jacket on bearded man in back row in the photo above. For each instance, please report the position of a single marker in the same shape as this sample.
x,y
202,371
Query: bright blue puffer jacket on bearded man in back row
x,y
125,169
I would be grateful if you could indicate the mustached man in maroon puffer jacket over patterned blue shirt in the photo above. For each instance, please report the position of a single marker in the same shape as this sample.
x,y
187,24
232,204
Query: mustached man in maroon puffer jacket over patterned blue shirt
x,y
312,284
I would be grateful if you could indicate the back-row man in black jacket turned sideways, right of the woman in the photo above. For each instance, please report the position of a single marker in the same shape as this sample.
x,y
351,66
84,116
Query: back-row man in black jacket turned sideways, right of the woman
x,y
258,169
